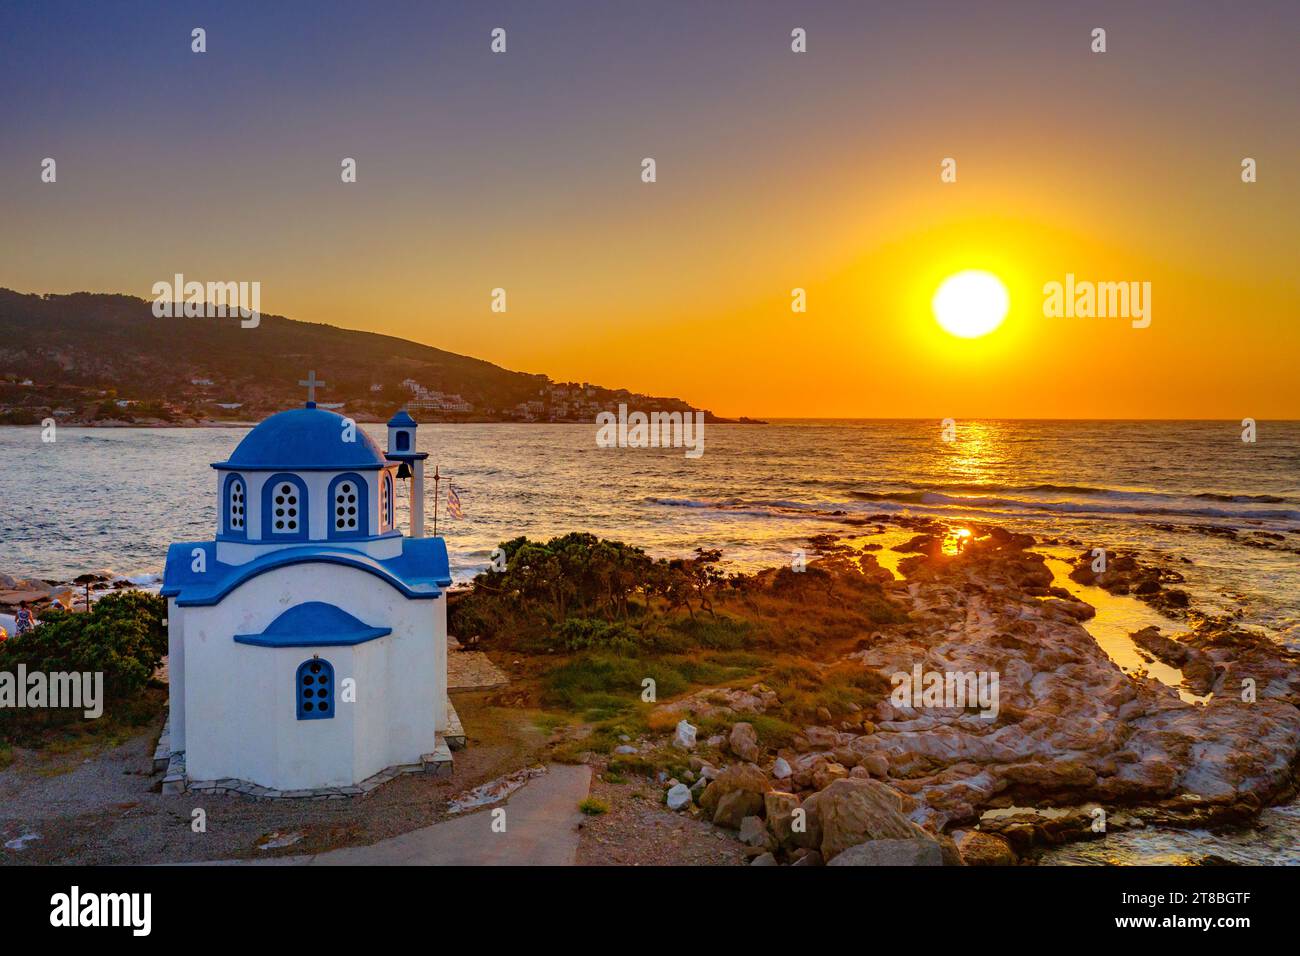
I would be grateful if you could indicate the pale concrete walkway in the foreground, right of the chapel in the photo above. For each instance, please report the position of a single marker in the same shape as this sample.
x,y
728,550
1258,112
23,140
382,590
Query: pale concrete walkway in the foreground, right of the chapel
x,y
541,830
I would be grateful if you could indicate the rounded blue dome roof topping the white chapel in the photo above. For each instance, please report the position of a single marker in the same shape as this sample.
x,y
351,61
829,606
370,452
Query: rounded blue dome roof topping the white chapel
x,y
305,440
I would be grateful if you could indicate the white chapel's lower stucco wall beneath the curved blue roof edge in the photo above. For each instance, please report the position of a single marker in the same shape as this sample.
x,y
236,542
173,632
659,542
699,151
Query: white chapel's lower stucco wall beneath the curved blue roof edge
x,y
241,700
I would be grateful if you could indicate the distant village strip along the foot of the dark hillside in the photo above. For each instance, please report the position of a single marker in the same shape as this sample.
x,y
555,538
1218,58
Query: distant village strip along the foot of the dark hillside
x,y
209,401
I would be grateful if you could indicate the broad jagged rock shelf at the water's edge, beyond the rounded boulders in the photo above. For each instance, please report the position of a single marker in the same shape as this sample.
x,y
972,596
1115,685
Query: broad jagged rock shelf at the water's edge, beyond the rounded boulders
x,y
1071,726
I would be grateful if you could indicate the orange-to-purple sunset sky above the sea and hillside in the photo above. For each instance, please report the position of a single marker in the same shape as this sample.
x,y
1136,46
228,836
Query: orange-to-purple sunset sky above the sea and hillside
x,y
775,171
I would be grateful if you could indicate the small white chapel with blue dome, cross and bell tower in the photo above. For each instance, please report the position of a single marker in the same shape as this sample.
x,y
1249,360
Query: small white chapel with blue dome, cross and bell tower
x,y
309,639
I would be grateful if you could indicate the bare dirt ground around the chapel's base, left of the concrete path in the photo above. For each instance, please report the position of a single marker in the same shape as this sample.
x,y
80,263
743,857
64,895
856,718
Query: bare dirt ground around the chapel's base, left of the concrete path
x,y
107,807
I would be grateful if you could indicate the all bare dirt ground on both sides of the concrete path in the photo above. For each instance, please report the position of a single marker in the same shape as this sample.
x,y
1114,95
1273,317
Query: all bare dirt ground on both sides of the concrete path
x,y
105,807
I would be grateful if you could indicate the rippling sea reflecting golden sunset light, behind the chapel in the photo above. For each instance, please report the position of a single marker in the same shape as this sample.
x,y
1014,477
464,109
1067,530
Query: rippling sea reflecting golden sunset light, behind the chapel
x,y
1225,511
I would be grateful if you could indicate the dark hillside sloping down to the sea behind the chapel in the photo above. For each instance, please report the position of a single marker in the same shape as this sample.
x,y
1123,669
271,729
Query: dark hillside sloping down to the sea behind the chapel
x,y
101,357
